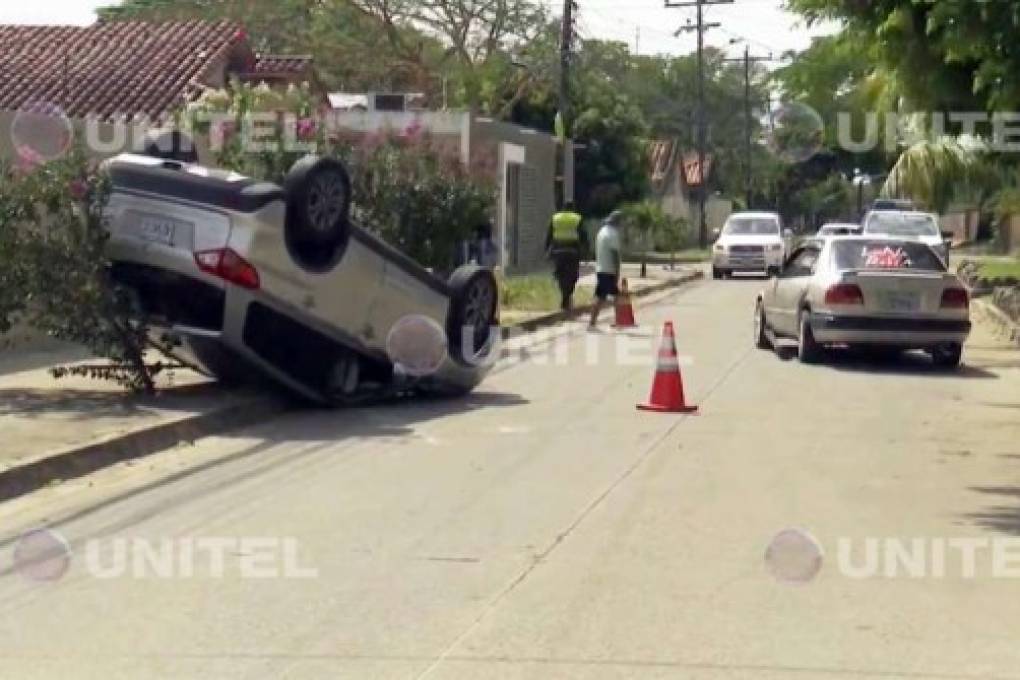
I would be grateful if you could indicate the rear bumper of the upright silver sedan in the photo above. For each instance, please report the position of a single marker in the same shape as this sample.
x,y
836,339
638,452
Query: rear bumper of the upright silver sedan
x,y
920,333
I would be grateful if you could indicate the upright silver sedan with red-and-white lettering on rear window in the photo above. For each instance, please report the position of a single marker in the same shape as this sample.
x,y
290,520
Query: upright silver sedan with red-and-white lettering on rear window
x,y
870,292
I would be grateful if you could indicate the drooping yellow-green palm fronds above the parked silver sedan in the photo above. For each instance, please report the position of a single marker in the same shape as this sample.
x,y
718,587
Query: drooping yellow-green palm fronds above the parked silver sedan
x,y
934,174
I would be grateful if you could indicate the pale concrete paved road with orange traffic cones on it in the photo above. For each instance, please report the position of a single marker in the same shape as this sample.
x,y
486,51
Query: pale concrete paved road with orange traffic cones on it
x,y
546,530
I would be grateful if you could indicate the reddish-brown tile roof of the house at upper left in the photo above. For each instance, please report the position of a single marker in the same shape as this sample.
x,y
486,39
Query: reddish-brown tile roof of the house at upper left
x,y
112,70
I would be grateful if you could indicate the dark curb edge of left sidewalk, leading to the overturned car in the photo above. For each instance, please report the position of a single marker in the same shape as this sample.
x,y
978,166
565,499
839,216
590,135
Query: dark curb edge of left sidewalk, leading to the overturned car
x,y
80,461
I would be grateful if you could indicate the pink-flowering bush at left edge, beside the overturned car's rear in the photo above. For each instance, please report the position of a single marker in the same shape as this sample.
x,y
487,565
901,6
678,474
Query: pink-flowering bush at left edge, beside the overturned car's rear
x,y
55,275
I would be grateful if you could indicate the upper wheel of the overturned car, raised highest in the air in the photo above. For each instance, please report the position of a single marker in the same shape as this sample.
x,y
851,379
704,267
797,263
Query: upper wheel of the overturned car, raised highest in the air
x,y
319,201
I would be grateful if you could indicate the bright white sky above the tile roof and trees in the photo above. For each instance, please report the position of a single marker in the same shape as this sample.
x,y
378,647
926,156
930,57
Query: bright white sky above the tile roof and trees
x,y
763,24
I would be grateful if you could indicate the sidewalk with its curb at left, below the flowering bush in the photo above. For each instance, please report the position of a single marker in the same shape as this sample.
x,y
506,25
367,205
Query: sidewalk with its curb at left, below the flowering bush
x,y
59,430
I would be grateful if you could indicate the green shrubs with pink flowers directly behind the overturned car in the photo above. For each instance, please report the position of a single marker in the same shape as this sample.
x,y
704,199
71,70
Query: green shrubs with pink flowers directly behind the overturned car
x,y
406,188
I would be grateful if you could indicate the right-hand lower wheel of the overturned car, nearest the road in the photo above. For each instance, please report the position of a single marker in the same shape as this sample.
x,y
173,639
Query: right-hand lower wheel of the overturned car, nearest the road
x,y
475,308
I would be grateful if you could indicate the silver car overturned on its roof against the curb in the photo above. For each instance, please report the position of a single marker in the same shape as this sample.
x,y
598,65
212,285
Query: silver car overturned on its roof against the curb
x,y
257,280
